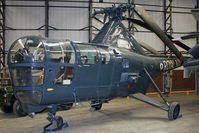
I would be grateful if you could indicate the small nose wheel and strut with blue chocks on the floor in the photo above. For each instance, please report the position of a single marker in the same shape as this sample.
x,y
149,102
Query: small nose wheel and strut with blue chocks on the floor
x,y
56,122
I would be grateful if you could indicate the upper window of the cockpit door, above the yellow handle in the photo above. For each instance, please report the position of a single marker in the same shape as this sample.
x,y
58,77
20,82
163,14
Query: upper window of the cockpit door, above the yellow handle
x,y
61,52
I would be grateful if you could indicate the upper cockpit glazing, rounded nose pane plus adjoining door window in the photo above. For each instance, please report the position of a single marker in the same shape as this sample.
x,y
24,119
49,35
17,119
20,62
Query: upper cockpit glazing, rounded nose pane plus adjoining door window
x,y
34,48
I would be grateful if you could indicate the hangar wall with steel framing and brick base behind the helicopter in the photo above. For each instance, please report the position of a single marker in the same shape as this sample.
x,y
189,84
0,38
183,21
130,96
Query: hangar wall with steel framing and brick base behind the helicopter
x,y
71,20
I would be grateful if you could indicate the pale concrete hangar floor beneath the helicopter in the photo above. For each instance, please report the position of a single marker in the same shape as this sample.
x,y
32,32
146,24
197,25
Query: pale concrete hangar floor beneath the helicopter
x,y
118,116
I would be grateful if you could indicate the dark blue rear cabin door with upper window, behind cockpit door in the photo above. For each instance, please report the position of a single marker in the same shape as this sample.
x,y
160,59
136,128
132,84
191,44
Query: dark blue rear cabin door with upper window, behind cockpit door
x,y
87,72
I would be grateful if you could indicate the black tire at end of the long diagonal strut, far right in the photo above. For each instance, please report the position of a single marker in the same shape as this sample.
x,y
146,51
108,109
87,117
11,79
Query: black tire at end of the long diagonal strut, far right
x,y
174,110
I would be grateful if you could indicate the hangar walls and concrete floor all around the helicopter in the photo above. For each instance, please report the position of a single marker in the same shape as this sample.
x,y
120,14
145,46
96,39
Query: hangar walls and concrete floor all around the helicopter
x,y
71,20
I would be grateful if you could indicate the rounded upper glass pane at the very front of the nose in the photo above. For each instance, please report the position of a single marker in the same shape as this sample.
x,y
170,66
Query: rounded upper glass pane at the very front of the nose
x,y
28,49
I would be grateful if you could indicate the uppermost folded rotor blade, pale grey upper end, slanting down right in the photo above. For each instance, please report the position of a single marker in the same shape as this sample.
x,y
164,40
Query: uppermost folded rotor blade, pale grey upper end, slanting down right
x,y
156,29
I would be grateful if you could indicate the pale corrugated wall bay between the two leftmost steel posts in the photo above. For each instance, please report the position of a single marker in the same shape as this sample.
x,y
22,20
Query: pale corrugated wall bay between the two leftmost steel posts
x,y
23,18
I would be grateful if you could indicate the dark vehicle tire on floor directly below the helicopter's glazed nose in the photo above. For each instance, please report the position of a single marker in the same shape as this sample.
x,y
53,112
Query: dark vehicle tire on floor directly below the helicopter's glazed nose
x,y
18,110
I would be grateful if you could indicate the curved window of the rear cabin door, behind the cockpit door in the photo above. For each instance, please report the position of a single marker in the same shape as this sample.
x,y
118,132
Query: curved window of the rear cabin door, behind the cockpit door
x,y
88,54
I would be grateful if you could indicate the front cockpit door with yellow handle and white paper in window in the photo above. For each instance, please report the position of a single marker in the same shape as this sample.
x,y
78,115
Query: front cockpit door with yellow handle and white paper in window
x,y
59,71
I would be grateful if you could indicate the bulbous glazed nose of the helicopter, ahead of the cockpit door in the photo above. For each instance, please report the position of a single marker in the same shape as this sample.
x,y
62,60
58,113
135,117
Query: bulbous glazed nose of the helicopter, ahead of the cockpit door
x,y
27,75
